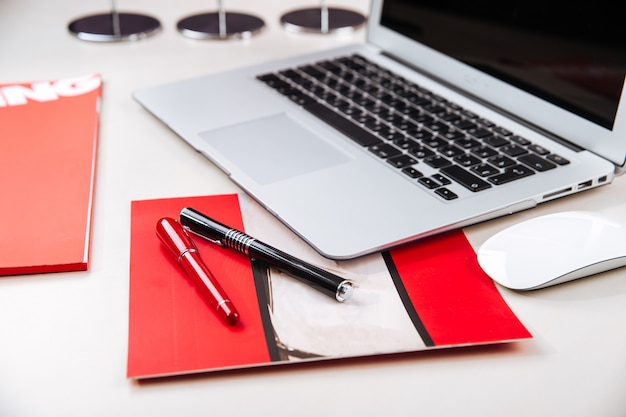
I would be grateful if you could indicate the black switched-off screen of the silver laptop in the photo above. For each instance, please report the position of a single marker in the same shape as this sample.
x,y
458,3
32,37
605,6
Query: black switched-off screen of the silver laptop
x,y
572,54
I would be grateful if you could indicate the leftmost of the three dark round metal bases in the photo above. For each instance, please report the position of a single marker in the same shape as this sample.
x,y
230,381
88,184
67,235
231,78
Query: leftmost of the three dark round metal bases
x,y
107,28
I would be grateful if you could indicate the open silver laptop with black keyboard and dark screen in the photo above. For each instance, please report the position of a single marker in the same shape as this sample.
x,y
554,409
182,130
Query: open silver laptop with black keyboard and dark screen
x,y
450,114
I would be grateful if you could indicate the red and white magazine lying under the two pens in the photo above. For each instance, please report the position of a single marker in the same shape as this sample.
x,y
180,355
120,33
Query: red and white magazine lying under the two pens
x,y
427,295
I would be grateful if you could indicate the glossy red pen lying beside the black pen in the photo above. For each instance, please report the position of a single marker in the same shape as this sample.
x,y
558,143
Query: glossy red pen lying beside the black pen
x,y
182,248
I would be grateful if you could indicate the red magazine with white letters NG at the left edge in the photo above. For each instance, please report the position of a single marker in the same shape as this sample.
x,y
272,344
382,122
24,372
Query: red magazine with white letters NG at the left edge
x,y
48,145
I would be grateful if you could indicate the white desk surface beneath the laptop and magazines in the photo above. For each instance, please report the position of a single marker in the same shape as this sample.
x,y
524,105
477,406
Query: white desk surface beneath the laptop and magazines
x,y
63,337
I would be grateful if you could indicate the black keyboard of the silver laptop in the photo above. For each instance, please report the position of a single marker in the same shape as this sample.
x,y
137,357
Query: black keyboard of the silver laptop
x,y
427,138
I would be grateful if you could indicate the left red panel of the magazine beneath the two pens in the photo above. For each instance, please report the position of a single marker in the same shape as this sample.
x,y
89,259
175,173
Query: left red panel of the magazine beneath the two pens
x,y
171,329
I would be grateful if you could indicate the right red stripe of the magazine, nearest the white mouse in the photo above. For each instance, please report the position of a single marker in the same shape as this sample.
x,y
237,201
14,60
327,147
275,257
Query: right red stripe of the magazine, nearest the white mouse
x,y
455,300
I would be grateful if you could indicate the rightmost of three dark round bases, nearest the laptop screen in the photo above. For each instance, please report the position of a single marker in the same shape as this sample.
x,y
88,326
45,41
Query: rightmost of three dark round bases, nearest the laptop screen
x,y
310,20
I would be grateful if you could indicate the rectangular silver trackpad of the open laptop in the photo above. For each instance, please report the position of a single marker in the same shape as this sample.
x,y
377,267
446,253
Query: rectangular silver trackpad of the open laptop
x,y
273,148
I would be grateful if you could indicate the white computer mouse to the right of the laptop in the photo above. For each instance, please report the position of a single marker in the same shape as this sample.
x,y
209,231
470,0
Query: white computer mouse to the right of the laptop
x,y
553,249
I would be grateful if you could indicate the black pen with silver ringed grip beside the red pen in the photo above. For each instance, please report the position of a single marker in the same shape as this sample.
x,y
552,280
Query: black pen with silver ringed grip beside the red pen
x,y
339,288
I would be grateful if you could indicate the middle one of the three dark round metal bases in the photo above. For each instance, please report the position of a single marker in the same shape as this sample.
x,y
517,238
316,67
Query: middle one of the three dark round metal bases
x,y
207,26
